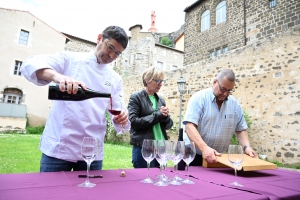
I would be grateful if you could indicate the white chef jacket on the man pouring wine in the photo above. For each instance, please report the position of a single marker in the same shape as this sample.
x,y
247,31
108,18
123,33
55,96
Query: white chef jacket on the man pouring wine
x,y
69,121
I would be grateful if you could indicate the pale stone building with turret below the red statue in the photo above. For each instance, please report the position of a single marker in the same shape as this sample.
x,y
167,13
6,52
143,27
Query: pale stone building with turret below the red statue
x,y
144,51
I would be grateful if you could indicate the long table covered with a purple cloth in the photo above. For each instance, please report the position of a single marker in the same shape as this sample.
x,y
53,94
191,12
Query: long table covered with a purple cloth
x,y
209,184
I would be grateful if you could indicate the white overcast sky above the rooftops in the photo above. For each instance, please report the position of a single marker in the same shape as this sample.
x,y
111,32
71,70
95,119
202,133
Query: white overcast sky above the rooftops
x,y
87,18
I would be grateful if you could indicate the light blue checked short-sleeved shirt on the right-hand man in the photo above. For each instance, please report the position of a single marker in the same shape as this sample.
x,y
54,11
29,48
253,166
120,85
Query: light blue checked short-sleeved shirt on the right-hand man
x,y
215,126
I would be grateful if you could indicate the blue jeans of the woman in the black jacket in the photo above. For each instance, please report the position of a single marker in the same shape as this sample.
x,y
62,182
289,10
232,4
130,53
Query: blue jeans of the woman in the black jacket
x,y
138,161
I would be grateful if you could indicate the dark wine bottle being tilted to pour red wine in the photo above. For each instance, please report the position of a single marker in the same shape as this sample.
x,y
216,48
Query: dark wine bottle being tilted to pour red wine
x,y
54,93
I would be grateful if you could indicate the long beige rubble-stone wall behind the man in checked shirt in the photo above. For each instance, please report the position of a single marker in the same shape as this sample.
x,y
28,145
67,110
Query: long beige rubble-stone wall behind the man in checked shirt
x,y
267,86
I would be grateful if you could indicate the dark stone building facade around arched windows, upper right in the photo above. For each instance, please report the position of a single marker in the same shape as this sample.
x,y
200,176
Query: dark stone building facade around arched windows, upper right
x,y
247,22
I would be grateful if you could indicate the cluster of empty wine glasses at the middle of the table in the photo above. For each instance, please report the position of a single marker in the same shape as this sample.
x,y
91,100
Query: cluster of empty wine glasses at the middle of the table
x,y
163,151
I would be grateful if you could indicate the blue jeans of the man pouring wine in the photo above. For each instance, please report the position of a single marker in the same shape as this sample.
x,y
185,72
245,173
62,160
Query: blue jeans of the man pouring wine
x,y
50,164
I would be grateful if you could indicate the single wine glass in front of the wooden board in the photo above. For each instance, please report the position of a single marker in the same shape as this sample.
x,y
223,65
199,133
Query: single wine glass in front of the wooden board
x,y
235,157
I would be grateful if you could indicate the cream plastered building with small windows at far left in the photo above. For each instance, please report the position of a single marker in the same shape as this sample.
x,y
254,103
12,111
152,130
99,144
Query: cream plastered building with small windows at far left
x,y
23,35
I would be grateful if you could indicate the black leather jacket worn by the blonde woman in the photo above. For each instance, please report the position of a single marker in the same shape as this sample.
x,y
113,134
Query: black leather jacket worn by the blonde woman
x,y
143,117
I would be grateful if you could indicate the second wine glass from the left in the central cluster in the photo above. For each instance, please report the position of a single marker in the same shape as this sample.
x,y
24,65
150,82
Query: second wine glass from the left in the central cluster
x,y
161,157
